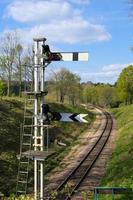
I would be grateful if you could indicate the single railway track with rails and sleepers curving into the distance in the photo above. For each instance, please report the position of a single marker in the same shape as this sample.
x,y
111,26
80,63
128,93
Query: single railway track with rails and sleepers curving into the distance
x,y
72,182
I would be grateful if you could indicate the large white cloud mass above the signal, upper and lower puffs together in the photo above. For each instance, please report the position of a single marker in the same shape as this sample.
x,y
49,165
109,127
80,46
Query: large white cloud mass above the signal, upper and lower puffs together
x,y
57,20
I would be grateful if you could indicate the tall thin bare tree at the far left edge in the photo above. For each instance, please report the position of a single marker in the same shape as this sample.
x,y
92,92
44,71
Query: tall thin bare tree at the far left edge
x,y
8,51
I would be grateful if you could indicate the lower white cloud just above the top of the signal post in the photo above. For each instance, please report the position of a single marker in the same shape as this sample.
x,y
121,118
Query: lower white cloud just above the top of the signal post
x,y
79,31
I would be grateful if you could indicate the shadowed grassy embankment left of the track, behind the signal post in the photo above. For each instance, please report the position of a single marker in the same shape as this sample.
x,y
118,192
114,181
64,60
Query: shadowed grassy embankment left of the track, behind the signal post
x,y
11,116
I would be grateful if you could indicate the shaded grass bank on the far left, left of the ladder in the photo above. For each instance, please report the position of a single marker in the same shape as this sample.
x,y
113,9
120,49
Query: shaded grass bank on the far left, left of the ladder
x,y
11,114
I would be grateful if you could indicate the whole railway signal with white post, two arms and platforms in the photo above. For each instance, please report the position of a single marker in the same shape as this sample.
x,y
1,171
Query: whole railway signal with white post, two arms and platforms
x,y
42,57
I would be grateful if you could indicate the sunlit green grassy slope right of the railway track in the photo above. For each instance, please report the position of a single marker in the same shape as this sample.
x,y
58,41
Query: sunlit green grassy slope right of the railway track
x,y
120,166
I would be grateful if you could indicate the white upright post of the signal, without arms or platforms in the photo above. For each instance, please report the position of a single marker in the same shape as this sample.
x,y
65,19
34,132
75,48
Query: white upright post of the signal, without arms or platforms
x,y
38,164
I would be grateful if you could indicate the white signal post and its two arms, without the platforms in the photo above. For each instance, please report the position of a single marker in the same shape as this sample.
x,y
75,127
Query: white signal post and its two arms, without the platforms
x,y
45,57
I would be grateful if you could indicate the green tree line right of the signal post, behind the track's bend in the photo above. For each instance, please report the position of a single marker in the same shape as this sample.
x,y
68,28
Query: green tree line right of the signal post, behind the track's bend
x,y
66,87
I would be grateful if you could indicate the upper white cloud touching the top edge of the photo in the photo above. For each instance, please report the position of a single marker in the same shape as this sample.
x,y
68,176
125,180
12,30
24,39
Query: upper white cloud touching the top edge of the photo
x,y
38,11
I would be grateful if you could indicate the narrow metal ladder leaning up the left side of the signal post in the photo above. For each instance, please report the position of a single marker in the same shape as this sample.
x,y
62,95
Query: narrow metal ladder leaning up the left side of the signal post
x,y
25,147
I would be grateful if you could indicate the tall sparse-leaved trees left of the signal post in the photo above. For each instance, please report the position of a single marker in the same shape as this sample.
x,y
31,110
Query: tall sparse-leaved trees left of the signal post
x,y
13,62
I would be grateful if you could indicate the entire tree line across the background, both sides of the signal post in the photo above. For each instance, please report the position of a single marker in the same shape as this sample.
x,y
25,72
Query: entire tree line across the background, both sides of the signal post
x,y
63,85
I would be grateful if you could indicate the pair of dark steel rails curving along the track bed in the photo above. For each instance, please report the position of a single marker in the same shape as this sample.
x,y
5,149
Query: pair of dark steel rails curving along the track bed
x,y
71,175
